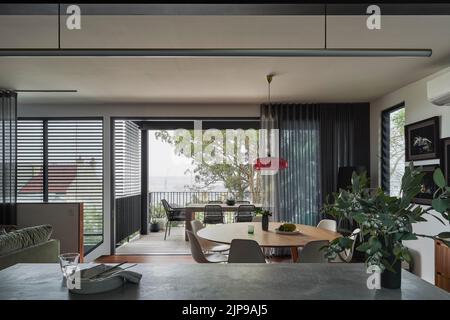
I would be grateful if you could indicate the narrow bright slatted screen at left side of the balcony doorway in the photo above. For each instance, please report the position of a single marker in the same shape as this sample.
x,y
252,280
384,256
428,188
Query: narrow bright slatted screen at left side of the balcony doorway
x,y
127,161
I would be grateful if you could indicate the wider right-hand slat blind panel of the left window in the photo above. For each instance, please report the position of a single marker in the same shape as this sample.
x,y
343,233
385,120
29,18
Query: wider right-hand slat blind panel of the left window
x,y
75,169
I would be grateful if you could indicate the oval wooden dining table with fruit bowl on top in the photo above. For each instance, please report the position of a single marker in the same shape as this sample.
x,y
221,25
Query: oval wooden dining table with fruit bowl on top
x,y
225,233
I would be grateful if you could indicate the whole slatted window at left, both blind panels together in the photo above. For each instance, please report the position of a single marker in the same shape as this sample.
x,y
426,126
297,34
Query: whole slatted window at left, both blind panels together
x,y
74,167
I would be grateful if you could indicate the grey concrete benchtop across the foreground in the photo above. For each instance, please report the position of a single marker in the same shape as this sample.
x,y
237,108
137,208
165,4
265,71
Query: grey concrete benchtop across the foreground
x,y
221,281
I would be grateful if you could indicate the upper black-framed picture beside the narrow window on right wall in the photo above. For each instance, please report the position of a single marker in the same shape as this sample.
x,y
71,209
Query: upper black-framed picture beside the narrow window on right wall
x,y
422,140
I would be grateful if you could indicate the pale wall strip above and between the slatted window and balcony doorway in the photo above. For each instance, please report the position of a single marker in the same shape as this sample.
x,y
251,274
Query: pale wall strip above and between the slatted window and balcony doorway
x,y
148,110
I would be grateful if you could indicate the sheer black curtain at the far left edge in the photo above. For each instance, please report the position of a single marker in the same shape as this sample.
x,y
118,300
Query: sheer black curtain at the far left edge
x,y
8,182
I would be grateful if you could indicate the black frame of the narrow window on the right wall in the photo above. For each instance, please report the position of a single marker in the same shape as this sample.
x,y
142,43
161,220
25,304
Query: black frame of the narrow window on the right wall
x,y
386,144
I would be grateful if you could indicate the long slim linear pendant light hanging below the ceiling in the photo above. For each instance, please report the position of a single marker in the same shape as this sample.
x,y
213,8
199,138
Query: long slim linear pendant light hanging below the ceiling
x,y
188,53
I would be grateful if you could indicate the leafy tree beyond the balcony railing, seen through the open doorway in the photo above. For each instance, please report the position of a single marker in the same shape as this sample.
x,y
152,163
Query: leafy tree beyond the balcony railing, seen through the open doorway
x,y
239,178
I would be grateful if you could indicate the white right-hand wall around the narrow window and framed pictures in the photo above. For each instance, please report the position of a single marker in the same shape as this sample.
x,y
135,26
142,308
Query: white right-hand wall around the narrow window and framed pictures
x,y
417,108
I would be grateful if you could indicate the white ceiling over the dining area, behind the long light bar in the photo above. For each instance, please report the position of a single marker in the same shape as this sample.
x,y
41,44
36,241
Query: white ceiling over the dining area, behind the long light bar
x,y
232,80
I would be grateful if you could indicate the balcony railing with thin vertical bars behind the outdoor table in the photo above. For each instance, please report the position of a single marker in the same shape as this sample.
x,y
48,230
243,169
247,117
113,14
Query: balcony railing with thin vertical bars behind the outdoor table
x,y
184,198
